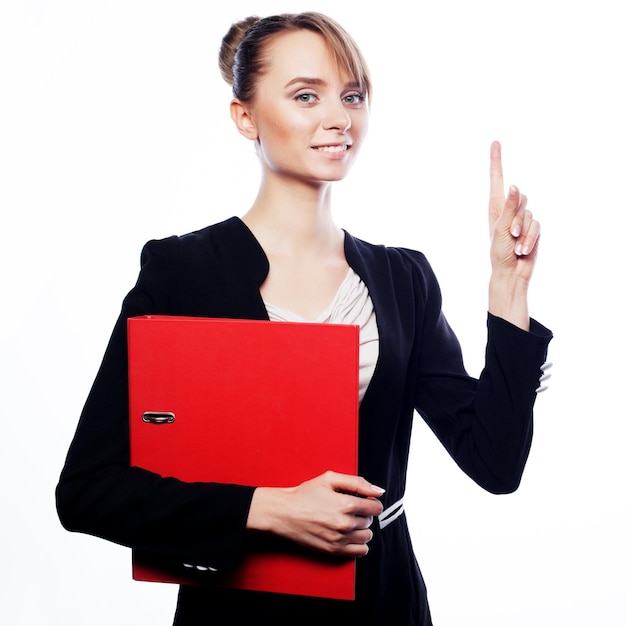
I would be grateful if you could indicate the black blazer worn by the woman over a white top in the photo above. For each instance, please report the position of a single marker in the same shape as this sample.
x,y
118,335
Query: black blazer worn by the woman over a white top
x,y
485,424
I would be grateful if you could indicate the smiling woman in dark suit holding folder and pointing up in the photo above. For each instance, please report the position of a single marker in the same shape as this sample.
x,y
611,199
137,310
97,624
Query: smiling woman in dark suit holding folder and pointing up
x,y
300,91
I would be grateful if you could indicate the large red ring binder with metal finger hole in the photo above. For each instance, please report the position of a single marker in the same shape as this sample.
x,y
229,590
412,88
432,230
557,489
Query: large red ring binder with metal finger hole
x,y
246,402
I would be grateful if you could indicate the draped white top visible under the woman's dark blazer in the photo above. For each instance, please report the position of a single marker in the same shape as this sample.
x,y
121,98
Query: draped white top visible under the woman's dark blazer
x,y
351,305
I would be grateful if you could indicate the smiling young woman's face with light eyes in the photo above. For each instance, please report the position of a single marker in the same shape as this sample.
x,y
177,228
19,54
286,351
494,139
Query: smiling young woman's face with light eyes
x,y
309,117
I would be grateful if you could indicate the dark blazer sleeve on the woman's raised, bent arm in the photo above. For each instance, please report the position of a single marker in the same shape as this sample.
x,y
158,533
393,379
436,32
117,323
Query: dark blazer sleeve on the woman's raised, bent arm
x,y
486,424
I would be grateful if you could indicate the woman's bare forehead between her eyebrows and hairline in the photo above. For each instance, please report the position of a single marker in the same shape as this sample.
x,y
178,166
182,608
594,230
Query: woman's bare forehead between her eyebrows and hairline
x,y
301,53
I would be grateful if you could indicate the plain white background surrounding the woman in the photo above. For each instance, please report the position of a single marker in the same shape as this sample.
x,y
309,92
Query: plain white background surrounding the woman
x,y
114,129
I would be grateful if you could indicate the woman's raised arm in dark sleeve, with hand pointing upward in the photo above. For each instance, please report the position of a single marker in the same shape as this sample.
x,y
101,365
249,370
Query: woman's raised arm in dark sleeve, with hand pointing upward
x,y
486,425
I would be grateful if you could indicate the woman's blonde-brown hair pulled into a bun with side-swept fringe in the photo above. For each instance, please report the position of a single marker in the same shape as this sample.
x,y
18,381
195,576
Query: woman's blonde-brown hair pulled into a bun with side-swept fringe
x,y
242,59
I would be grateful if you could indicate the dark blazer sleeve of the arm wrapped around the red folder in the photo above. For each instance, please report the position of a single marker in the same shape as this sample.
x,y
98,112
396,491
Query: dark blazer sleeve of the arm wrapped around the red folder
x,y
101,494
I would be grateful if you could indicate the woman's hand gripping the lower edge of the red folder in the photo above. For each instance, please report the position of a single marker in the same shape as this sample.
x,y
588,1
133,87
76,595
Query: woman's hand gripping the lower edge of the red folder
x,y
331,513
